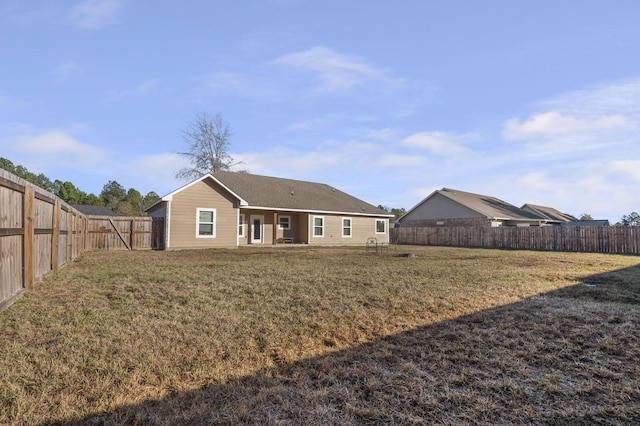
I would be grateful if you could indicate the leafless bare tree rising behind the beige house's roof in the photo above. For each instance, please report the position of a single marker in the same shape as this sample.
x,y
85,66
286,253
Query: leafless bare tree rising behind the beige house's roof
x,y
207,140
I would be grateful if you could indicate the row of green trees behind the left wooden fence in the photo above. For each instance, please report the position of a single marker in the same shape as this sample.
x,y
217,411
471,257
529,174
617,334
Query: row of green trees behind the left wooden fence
x,y
125,202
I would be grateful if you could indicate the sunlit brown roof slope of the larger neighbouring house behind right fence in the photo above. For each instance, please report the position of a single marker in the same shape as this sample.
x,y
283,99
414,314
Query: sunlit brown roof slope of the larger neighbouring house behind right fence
x,y
490,207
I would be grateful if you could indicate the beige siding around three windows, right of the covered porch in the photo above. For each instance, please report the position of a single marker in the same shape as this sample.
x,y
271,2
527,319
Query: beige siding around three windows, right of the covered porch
x,y
361,229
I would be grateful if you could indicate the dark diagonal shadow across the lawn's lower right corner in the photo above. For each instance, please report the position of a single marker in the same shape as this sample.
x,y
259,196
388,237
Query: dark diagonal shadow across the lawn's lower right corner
x,y
560,358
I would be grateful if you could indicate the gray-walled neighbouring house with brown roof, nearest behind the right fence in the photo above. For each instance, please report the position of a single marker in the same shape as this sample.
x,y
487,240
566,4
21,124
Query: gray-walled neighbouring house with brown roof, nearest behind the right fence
x,y
452,207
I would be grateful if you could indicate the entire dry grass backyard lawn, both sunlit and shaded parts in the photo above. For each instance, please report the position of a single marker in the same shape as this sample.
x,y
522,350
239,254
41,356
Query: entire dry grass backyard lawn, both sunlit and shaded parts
x,y
300,335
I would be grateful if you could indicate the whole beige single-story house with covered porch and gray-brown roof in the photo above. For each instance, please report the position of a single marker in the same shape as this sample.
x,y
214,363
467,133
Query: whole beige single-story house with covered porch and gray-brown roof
x,y
228,209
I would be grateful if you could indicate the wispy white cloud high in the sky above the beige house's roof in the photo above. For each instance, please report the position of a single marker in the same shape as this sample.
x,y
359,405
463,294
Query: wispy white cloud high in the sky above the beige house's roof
x,y
333,71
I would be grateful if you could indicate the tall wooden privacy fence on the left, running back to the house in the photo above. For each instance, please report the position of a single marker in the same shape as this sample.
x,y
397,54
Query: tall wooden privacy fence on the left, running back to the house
x,y
39,234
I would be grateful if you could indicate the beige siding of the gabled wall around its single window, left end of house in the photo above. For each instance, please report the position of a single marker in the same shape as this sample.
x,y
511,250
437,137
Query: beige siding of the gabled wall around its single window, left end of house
x,y
204,194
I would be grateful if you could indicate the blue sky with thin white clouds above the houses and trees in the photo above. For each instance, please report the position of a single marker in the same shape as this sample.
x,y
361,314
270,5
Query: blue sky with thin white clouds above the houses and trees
x,y
531,101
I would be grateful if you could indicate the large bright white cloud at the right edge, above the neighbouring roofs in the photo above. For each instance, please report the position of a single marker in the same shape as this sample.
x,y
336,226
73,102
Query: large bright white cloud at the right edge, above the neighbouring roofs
x,y
598,124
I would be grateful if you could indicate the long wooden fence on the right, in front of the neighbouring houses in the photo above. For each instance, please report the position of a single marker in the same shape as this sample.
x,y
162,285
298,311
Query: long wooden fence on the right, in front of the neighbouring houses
x,y
588,239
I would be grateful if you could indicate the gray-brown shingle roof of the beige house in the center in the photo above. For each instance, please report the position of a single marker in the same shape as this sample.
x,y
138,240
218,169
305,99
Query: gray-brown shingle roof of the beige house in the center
x,y
289,194
